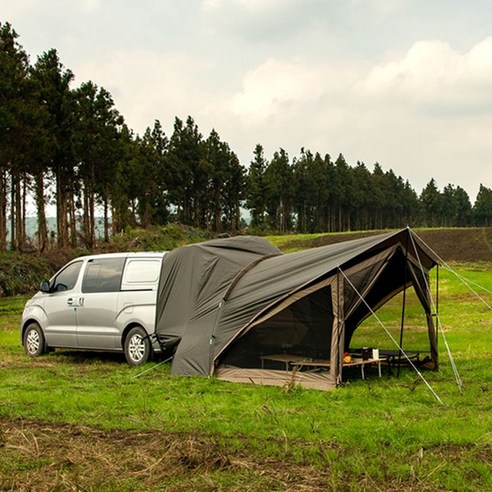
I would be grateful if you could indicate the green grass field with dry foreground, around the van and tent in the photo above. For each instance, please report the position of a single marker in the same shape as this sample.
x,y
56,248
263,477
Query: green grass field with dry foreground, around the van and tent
x,y
82,421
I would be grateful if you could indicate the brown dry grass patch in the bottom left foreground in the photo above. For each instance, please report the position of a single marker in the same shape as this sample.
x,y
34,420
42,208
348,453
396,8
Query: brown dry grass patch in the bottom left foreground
x,y
40,456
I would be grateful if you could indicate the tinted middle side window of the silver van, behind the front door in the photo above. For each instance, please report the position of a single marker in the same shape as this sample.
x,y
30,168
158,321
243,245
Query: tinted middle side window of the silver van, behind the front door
x,y
103,275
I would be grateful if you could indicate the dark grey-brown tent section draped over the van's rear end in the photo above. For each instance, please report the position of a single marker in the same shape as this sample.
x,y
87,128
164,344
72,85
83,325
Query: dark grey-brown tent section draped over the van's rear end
x,y
192,284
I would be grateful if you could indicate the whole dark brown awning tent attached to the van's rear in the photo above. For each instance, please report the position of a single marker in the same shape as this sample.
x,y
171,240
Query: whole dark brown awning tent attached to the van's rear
x,y
226,303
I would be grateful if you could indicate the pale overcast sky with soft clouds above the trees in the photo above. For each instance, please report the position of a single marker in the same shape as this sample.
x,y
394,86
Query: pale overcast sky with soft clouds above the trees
x,y
406,83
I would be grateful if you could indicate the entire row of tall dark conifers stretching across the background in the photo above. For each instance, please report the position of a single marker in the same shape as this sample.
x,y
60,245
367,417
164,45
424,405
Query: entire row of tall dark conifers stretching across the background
x,y
70,148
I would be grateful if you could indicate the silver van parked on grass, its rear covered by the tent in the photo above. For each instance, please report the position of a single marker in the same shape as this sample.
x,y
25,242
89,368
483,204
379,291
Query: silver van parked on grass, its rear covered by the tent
x,y
103,302
